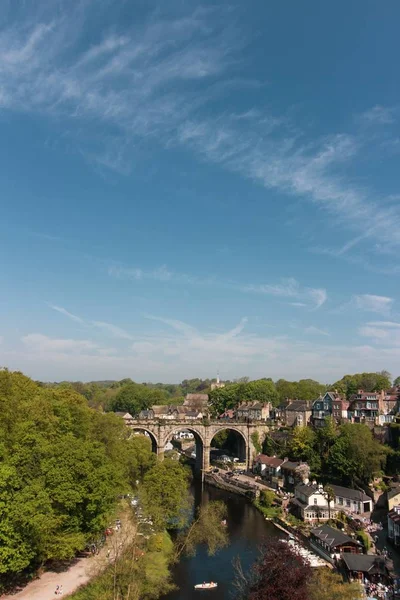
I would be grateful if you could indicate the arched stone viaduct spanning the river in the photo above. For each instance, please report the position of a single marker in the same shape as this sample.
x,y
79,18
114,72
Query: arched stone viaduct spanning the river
x,y
162,431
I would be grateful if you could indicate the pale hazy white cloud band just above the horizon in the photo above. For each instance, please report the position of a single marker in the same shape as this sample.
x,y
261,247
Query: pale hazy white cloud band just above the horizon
x,y
182,350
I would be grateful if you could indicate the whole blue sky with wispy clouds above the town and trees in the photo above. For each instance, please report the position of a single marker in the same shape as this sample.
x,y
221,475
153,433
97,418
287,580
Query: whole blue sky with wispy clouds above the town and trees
x,y
193,187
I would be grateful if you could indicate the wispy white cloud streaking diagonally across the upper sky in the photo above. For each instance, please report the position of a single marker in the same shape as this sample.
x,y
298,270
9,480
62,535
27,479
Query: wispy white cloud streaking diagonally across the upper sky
x,y
153,79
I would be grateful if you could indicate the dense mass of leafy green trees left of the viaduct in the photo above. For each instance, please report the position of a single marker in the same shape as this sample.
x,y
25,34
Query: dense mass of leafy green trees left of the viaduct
x,y
62,467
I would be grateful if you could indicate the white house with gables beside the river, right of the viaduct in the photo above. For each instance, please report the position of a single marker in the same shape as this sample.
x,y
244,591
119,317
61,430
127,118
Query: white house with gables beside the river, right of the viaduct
x,y
311,502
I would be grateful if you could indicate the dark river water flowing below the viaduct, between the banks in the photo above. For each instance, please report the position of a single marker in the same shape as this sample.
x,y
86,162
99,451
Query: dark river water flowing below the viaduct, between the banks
x,y
247,529
